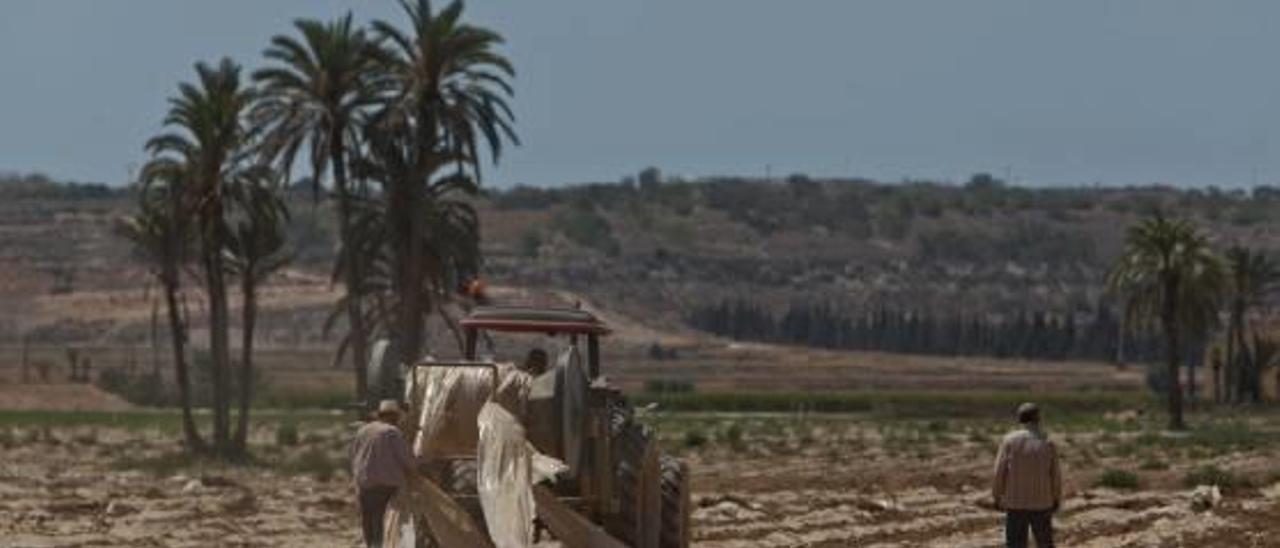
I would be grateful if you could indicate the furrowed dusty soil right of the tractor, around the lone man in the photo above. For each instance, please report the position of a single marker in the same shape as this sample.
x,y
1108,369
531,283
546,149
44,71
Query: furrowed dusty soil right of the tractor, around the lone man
x,y
844,483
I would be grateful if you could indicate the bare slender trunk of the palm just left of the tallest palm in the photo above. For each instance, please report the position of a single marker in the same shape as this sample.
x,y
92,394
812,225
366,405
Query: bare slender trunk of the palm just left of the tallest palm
x,y
353,278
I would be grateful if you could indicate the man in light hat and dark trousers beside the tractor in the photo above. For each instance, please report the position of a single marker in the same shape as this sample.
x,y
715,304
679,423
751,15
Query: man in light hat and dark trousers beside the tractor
x,y
381,463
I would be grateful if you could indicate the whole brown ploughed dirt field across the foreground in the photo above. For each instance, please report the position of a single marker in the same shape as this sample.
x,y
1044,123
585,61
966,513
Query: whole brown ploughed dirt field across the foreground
x,y
761,481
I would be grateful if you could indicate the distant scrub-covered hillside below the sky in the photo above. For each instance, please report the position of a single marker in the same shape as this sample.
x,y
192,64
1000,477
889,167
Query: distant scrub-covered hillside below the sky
x,y
660,250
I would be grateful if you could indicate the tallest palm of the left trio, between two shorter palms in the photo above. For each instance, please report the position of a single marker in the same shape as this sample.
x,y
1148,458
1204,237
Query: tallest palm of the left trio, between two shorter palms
x,y
212,139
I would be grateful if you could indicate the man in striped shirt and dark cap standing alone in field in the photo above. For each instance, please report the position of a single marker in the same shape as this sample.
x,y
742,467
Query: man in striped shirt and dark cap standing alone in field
x,y
1028,485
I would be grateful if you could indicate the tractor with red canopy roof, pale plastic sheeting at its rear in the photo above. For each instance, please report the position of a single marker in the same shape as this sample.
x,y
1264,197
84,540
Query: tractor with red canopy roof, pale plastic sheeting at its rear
x,y
616,490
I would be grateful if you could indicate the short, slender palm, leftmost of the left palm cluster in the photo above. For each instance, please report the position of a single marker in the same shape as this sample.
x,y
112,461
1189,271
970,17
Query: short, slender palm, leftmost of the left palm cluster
x,y
162,239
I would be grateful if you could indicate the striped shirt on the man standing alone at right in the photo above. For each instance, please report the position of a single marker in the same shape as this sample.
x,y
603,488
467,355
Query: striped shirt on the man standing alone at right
x,y
1028,476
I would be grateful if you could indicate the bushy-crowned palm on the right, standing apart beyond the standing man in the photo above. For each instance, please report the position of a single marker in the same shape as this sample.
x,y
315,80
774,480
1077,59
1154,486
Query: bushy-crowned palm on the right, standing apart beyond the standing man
x,y
1171,277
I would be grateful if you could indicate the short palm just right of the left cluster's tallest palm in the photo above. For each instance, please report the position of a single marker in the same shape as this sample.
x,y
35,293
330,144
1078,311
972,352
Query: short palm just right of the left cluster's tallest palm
x,y
257,252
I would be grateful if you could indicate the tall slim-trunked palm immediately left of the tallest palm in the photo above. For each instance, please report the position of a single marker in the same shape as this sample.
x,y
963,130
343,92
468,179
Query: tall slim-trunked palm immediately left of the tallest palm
x,y
312,98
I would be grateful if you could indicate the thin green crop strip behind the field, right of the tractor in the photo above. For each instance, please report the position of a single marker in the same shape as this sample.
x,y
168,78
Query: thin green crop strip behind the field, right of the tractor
x,y
898,404
